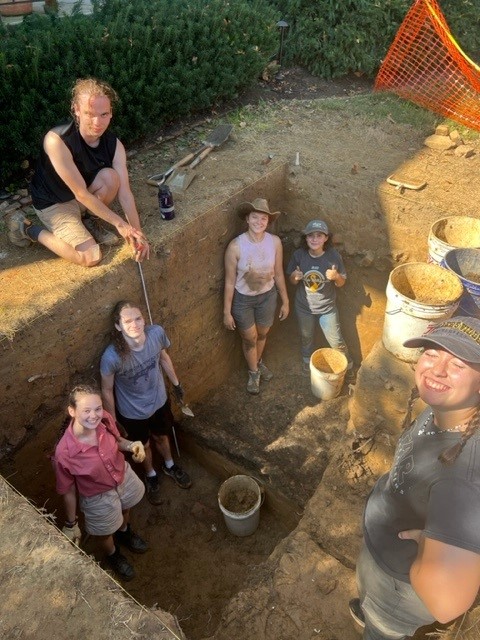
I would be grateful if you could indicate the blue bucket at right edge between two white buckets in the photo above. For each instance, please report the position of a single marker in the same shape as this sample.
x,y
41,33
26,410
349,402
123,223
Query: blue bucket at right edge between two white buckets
x,y
465,263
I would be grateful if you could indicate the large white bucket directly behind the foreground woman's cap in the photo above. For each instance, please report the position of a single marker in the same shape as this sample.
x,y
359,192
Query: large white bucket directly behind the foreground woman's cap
x,y
419,295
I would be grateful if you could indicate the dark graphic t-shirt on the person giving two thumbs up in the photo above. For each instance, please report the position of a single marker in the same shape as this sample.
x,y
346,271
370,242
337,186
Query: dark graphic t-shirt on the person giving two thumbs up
x,y
315,294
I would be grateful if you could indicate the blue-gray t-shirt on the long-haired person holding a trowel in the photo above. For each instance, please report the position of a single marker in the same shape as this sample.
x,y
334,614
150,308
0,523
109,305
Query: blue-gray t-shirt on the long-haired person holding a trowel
x,y
138,385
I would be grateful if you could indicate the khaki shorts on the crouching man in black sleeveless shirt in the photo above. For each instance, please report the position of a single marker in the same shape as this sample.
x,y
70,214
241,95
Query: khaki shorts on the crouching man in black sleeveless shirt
x,y
64,220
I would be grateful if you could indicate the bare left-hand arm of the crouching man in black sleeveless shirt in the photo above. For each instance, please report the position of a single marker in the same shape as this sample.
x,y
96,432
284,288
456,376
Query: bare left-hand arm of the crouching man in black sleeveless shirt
x,y
63,163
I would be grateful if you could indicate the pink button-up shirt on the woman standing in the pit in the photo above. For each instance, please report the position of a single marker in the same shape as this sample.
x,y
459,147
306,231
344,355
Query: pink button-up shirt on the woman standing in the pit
x,y
94,468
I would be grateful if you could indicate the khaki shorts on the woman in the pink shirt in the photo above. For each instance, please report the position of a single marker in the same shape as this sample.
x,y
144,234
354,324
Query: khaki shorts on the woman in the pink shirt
x,y
103,512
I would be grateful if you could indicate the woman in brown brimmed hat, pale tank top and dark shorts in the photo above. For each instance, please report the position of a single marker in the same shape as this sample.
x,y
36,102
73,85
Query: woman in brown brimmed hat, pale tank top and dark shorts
x,y
253,276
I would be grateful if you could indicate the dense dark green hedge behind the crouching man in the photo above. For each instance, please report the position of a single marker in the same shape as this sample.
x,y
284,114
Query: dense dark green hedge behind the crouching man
x,y
165,58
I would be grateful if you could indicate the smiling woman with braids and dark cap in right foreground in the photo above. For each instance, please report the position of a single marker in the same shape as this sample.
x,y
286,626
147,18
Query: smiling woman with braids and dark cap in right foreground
x,y
420,560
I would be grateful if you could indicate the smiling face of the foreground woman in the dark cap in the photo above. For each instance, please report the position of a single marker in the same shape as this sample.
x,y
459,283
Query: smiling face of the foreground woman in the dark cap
x,y
445,382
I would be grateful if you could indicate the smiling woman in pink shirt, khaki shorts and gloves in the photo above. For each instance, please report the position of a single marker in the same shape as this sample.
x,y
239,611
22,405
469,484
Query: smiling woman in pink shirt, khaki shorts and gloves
x,y
90,468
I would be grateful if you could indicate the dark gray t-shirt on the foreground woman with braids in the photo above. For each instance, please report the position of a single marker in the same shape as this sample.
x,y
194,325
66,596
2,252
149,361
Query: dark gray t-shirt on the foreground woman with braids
x,y
422,493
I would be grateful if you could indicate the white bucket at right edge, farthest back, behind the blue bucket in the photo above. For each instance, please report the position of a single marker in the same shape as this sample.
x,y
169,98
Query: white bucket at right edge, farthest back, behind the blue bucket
x,y
454,232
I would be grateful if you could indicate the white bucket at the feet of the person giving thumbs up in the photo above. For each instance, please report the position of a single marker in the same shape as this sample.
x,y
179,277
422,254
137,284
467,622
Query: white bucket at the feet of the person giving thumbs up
x,y
327,372
